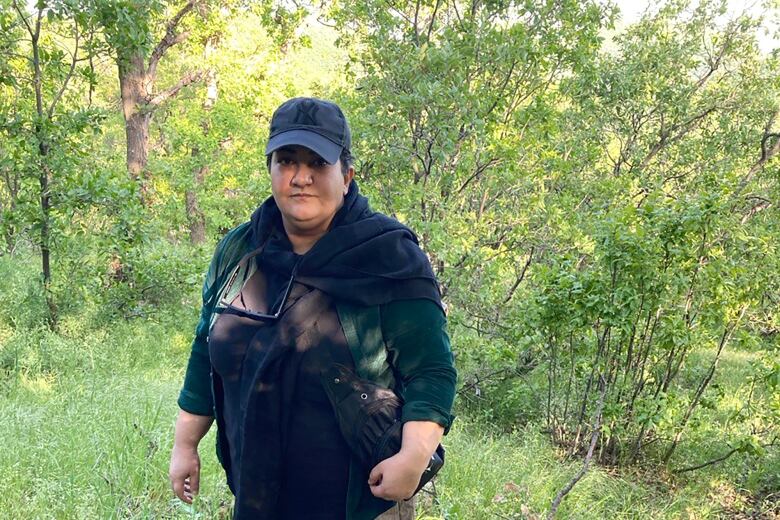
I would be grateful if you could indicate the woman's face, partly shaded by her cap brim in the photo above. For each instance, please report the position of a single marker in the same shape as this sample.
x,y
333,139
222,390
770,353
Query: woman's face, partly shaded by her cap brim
x,y
307,190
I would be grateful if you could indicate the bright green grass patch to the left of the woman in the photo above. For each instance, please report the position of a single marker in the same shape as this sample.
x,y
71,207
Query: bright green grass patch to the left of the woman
x,y
93,440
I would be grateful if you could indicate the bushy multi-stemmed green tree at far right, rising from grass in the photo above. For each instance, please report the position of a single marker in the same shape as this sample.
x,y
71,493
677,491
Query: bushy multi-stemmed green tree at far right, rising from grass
x,y
678,123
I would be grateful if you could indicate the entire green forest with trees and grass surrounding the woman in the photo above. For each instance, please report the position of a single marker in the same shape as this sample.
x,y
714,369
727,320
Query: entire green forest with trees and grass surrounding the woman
x,y
596,197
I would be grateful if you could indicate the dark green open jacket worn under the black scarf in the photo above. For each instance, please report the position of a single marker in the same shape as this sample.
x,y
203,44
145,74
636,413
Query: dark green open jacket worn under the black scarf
x,y
401,345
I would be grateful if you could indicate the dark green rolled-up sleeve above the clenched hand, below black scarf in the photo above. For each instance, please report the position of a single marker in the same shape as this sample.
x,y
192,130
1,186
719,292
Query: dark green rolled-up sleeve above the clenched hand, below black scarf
x,y
415,333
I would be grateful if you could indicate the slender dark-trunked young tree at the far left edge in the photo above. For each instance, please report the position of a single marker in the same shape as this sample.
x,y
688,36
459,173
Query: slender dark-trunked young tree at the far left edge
x,y
40,95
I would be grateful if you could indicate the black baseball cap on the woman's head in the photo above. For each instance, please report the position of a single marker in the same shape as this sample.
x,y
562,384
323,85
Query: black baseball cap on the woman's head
x,y
314,123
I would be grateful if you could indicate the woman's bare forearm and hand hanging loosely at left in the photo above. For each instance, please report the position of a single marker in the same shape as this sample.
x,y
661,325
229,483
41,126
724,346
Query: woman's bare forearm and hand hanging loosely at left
x,y
184,471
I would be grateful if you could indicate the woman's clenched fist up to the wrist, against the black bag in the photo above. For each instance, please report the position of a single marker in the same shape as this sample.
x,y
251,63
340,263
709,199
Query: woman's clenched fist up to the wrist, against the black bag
x,y
396,478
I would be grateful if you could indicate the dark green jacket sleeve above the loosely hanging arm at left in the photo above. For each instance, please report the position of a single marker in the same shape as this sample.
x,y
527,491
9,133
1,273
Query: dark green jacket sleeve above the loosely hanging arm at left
x,y
196,396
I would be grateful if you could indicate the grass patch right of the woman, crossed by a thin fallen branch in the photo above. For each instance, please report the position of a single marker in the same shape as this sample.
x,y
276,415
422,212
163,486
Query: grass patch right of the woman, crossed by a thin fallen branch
x,y
517,476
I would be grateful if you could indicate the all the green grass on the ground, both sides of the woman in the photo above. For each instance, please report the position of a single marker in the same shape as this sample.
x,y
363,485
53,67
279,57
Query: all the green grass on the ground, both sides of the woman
x,y
88,422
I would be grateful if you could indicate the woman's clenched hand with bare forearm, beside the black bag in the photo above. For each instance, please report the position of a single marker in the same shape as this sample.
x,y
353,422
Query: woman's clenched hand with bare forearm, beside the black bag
x,y
396,478
